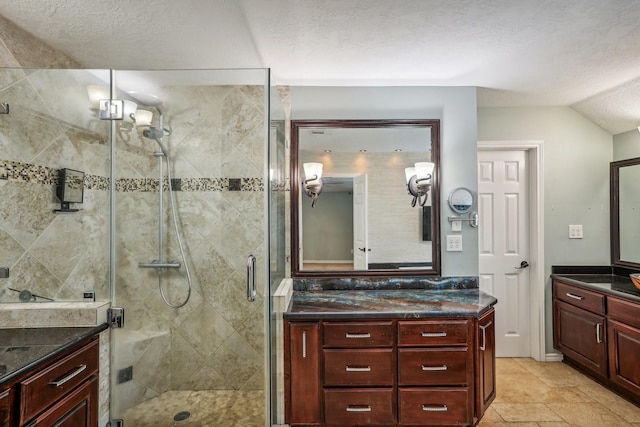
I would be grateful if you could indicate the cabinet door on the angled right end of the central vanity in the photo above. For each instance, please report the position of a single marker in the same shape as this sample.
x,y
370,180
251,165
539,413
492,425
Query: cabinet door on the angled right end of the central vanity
x,y
486,354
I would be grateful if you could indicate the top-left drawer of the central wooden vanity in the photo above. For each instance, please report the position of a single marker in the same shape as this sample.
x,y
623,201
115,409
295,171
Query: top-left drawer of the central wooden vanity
x,y
358,334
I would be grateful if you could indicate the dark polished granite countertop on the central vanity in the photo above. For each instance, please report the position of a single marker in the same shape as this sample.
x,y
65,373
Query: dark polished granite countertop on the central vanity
x,y
394,303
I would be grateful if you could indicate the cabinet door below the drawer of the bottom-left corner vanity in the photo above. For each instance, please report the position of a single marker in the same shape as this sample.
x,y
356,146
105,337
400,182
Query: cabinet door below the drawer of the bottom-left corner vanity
x,y
78,409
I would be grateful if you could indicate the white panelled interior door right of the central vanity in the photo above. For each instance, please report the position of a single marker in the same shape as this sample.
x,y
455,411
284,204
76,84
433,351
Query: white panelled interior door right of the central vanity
x,y
504,245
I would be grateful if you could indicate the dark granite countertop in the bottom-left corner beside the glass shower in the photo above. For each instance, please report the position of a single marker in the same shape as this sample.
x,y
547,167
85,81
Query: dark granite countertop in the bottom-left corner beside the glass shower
x,y
23,349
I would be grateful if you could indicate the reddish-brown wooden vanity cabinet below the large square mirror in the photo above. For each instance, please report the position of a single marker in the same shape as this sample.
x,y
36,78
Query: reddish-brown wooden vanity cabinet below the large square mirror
x,y
387,372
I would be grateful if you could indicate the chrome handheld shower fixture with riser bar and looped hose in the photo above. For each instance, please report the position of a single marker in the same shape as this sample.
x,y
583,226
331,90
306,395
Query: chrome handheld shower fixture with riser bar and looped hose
x,y
159,264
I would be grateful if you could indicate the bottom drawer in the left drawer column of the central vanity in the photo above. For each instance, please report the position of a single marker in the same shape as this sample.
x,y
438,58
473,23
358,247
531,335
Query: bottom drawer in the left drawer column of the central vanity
x,y
357,407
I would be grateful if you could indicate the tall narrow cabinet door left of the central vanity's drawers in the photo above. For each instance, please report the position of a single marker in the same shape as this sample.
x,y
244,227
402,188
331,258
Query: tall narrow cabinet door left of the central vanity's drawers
x,y
302,373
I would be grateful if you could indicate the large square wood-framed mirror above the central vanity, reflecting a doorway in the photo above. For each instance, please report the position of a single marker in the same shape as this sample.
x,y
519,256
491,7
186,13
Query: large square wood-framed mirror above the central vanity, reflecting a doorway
x,y
362,222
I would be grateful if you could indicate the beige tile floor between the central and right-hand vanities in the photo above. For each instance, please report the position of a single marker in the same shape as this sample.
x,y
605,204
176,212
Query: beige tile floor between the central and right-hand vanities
x,y
533,394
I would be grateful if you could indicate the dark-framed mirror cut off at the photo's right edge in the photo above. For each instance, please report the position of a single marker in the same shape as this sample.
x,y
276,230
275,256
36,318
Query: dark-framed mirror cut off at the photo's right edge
x,y
625,207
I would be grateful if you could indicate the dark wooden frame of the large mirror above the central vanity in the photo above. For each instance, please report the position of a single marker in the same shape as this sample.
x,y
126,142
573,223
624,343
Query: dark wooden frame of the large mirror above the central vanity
x,y
434,125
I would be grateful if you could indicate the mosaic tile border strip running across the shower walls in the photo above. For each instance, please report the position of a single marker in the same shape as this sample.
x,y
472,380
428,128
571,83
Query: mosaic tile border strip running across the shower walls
x,y
27,172
